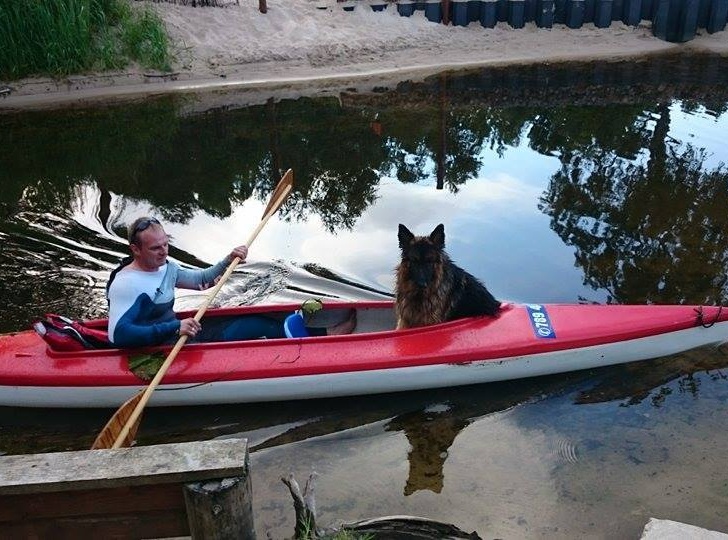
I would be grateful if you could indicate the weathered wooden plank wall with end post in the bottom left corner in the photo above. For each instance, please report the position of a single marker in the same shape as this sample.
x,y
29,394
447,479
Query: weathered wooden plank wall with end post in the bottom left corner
x,y
136,492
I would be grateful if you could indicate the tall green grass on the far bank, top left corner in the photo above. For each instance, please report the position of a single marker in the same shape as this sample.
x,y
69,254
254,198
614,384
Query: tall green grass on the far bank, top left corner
x,y
61,37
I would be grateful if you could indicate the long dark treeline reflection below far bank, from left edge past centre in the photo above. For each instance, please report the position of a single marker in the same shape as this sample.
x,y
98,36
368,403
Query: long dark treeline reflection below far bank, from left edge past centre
x,y
211,162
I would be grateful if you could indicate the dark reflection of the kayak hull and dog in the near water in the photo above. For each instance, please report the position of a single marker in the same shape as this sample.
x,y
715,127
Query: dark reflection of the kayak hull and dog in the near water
x,y
430,420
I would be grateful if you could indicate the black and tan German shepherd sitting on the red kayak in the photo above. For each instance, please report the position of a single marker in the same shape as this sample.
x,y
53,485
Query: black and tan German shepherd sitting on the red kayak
x,y
430,288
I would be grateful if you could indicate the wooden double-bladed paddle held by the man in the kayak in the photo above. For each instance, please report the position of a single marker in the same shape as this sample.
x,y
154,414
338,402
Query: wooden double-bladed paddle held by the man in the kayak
x,y
121,429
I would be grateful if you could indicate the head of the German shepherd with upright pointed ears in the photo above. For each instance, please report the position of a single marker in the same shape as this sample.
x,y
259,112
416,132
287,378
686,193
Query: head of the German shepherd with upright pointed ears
x,y
422,256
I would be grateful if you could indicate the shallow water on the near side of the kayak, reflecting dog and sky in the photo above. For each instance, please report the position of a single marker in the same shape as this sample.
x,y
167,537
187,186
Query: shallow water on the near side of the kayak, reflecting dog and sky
x,y
524,446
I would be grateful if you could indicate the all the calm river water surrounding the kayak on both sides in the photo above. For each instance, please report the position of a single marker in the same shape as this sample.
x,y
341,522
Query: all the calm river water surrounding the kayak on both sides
x,y
596,183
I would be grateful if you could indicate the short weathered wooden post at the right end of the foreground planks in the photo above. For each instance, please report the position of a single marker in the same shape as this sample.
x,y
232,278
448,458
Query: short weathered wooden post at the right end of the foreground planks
x,y
221,509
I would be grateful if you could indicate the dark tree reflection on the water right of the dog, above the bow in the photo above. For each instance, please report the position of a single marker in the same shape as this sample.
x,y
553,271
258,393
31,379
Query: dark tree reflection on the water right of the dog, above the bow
x,y
645,229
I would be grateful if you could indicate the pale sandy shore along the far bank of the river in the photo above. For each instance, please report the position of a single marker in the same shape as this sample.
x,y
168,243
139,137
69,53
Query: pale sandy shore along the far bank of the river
x,y
300,49
